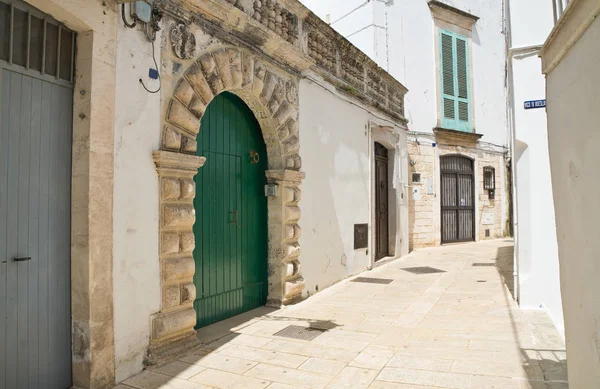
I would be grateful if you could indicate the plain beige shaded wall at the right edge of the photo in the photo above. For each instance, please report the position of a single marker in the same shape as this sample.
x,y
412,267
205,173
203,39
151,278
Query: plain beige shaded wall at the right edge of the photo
x,y
573,136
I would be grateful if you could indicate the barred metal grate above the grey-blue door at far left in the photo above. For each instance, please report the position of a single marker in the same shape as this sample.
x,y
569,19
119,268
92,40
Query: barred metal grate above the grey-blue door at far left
x,y
33,40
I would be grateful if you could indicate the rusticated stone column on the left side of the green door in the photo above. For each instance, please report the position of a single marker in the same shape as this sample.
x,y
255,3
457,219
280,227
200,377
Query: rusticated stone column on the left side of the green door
x,y
177,317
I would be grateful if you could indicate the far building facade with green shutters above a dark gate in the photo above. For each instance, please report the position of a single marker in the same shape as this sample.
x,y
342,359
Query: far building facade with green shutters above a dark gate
x,y
451,55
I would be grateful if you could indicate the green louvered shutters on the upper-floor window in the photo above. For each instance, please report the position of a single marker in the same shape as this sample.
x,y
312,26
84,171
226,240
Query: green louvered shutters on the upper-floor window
x,y
455,82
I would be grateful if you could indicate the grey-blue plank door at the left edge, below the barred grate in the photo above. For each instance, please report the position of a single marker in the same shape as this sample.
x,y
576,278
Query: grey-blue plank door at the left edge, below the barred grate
x,y
35,214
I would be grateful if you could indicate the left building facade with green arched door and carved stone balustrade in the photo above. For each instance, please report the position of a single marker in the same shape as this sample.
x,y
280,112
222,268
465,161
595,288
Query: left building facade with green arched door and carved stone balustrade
x,y
203,158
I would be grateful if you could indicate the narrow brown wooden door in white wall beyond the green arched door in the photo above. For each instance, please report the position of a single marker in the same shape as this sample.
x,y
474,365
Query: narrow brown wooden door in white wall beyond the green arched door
x,y
381,202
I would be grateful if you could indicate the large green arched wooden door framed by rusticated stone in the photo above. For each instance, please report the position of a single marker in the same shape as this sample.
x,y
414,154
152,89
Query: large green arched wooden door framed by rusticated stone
x,y
231,213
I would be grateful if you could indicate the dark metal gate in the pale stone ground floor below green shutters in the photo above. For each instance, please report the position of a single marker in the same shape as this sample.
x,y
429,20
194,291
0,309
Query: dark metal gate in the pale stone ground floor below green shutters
x,y
458,199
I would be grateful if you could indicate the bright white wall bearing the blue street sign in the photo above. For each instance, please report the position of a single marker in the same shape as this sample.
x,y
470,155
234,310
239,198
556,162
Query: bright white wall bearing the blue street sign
x,y
536,248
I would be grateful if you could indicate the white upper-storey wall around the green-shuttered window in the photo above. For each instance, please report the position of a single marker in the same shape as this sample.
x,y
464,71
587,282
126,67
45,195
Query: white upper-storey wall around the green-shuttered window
x,y
407,50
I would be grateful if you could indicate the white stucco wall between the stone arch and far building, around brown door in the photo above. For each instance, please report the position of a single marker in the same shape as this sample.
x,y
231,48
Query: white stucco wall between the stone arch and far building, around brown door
x,y
335,140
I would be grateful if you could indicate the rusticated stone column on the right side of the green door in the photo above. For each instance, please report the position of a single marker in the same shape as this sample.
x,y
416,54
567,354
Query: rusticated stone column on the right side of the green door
x,y
285,275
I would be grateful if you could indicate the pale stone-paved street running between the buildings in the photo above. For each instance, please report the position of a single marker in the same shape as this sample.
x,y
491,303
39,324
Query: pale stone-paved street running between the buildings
x,y
459,328
